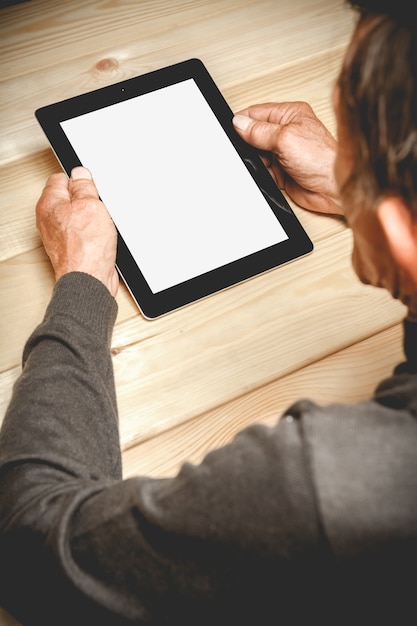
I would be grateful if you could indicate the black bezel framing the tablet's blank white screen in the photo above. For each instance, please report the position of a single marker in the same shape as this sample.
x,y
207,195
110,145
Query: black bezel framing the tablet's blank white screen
x,y
151,304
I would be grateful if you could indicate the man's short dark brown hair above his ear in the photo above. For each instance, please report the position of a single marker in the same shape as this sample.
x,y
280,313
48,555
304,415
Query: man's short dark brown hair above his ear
x,y
378,104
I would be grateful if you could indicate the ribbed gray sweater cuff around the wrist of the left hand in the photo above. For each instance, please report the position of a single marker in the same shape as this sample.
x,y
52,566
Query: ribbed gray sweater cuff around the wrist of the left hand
x,y
85,299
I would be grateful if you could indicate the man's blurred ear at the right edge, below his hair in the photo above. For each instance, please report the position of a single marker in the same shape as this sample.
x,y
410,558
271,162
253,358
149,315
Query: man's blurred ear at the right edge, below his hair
x,y
400,230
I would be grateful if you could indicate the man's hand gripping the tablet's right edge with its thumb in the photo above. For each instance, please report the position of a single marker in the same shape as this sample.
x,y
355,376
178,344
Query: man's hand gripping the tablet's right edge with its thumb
x,y
301,149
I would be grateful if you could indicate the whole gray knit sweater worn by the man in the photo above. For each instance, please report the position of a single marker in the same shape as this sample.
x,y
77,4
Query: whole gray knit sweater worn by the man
x,y
313,520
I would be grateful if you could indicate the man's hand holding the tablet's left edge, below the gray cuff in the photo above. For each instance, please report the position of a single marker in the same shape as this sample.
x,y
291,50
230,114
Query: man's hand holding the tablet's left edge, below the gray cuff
x,y
76,229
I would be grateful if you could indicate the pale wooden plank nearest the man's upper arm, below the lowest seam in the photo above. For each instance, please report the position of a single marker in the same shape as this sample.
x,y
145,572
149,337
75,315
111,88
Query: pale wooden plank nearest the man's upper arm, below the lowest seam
x,y
349,375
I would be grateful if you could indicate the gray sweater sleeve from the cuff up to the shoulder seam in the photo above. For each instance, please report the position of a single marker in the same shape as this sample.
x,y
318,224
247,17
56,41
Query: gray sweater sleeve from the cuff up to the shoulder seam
x,y
80,545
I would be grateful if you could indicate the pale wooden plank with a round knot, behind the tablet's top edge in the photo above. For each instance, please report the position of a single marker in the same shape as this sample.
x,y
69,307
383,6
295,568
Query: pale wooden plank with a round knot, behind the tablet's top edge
x,y
233,50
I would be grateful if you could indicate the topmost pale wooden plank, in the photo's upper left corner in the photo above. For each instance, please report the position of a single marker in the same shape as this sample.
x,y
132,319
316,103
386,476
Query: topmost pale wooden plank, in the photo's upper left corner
x,y
42,26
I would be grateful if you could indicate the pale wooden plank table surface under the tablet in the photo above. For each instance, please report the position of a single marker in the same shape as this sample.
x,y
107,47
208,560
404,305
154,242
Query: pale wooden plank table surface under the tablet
x,y
189,381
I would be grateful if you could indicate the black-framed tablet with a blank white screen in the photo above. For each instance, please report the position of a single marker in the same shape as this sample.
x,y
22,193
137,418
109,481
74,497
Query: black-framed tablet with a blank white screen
x,y
195,208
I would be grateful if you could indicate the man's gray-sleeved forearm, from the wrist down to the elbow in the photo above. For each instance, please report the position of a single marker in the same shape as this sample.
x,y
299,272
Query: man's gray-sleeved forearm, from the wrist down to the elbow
x,y
63,409
